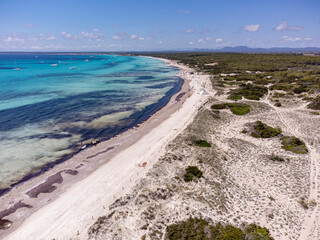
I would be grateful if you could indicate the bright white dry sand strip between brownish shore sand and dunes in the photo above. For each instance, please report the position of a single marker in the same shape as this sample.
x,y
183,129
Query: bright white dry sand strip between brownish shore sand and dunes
x,y
70,215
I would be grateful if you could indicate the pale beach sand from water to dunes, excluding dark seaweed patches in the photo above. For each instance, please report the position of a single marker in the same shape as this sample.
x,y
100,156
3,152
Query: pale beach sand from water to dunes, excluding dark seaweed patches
x,y
76,206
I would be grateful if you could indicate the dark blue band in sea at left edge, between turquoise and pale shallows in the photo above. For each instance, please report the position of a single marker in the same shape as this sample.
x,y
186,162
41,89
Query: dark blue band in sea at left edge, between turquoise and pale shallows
x,y
60,110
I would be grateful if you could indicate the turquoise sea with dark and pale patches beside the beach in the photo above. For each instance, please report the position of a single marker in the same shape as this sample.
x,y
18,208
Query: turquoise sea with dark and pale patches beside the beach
x,y
51,104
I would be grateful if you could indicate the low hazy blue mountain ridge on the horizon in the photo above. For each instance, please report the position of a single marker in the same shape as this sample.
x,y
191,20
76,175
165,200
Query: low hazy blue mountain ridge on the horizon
x,y
245,49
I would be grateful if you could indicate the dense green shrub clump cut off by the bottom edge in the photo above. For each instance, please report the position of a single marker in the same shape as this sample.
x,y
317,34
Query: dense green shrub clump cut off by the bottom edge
x,y
199,229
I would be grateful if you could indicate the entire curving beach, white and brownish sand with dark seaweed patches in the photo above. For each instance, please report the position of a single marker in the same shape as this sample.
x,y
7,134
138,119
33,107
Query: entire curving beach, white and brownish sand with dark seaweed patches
x,y
95,177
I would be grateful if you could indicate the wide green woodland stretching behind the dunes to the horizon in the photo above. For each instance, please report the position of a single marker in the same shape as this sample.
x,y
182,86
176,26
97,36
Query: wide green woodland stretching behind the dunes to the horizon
x,y
292,73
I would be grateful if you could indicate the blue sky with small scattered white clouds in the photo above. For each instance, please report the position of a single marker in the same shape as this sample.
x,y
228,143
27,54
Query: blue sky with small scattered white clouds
x,y
137,25
